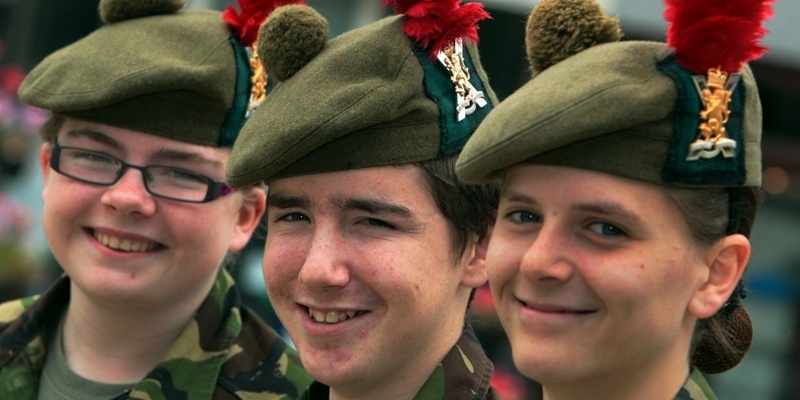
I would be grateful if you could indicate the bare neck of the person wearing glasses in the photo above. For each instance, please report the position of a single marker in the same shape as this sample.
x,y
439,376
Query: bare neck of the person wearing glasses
x,y
119,344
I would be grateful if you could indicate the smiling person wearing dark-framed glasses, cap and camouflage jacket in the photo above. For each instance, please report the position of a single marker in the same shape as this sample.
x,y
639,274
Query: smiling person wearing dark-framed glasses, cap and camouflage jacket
x,y
136,212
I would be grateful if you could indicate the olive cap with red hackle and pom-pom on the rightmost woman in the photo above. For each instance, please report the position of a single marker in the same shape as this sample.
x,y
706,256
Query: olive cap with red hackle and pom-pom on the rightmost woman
x,y
656,112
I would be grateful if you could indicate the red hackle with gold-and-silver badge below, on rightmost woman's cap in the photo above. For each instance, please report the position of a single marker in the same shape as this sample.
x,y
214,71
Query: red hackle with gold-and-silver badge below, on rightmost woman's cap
x,y
714,40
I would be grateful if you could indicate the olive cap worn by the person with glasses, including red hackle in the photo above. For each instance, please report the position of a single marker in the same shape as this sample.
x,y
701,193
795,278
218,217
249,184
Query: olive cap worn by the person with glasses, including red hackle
x,y
156,68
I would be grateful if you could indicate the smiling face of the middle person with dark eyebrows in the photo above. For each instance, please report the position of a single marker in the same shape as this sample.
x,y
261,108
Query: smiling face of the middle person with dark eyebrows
x,y
359,267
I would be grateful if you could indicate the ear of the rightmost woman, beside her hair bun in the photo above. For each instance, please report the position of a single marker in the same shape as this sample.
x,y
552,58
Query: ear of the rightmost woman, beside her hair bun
x,y
726,262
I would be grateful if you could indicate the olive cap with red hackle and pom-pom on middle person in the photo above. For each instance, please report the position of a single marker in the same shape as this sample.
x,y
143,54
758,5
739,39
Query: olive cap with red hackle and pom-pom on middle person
x,y
407,88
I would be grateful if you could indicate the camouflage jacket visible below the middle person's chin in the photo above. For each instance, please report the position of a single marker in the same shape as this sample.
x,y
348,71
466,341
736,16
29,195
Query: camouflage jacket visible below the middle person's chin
x,y
464,373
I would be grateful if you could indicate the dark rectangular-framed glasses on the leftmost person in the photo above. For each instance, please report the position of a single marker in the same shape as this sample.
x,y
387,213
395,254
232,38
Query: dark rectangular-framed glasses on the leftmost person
x,y
160,181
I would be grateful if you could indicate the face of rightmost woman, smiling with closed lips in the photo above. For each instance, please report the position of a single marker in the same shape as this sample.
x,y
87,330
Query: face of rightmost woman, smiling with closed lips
x,y
591,274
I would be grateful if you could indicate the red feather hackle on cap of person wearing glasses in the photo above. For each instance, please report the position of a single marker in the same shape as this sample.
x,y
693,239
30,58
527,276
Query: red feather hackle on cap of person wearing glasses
x,y
252,14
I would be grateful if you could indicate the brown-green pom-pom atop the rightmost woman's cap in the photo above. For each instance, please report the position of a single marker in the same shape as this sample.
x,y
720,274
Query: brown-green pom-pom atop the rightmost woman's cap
x,y
557,29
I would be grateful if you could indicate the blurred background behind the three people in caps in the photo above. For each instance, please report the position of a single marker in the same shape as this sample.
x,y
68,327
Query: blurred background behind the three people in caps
x,y
31,29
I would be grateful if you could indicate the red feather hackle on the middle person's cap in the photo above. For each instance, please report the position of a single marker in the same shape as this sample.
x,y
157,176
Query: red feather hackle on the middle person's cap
x,y
435,24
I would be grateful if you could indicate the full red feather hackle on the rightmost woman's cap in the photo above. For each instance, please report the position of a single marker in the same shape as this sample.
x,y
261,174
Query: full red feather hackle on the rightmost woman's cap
x,y
720,34
